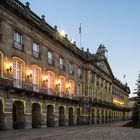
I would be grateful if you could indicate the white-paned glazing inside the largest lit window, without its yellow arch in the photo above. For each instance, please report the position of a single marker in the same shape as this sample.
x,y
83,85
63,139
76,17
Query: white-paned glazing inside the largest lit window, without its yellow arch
x,y
17,74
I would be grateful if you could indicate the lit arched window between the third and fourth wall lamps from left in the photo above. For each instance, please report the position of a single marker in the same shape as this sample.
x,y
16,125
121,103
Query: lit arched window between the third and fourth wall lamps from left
x,y
51,81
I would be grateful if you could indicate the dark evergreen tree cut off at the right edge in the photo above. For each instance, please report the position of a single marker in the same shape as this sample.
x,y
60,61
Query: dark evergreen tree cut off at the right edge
x,y
136,109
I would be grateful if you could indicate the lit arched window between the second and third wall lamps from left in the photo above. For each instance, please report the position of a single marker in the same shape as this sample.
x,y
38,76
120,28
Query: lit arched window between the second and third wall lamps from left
x,y
36,77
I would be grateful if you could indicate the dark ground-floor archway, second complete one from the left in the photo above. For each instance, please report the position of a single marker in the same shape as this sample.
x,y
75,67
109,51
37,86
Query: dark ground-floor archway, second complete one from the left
x,y
36,115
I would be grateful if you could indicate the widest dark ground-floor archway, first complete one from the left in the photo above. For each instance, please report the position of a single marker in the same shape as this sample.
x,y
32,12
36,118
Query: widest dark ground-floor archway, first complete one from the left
x,y
18,115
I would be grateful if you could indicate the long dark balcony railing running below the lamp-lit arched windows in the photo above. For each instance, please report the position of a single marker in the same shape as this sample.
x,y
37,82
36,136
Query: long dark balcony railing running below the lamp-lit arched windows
x,y
20,86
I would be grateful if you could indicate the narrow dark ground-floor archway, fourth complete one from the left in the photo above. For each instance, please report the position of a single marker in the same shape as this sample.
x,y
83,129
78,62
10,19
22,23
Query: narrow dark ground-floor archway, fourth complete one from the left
x,y
61,116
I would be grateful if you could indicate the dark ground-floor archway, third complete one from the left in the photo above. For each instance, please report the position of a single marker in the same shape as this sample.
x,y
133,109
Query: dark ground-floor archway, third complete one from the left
x,y
50,115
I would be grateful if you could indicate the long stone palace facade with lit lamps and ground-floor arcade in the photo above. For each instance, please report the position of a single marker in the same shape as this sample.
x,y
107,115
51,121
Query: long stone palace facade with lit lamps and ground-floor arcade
x,y
46,80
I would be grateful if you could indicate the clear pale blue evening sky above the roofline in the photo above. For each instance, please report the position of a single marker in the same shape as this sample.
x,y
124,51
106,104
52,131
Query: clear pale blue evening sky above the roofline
x,y
114,23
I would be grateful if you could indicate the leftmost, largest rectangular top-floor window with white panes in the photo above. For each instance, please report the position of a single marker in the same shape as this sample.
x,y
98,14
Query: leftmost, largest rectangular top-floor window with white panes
x,y
18,40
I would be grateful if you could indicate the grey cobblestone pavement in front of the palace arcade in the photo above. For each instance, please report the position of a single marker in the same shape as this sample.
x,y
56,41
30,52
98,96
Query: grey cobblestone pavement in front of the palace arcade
x,y
112,131
